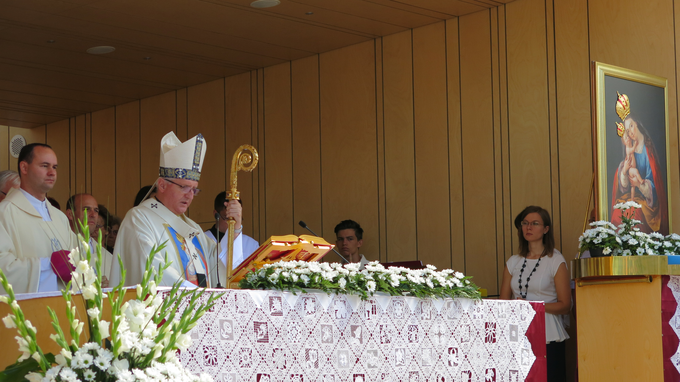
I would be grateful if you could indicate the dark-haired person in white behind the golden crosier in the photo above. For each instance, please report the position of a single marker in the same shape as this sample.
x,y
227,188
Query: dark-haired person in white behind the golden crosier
x,y
244,245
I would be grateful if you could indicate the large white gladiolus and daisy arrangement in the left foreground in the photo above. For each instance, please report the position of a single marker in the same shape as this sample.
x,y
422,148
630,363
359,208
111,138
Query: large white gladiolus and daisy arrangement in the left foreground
x,y
144,333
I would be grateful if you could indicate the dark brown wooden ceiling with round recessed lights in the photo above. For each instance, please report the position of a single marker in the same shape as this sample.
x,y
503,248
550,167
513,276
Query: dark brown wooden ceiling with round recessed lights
x,y
163,45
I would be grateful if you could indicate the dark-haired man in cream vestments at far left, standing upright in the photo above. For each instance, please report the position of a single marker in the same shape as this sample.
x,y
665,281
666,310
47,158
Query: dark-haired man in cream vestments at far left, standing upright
x,y
31,230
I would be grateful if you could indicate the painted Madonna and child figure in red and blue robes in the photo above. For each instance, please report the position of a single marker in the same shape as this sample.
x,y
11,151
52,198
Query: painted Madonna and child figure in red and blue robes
x,y
639,178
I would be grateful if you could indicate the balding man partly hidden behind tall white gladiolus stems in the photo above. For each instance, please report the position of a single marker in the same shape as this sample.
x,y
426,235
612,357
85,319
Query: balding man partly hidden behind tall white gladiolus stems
x,y
77,207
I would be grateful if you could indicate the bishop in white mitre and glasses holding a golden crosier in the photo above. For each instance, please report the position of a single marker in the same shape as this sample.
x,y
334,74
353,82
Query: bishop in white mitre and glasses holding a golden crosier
x,y
162,219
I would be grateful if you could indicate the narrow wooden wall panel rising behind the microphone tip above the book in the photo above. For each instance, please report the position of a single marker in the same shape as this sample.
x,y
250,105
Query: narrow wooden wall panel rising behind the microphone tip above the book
x,y
306,144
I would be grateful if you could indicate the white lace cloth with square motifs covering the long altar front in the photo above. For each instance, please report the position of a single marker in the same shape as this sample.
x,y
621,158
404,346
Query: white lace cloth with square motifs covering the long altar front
x,y
271,336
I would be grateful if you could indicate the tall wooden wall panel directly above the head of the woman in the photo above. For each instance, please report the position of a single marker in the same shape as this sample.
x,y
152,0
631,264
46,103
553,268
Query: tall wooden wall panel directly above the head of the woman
x,y
528,120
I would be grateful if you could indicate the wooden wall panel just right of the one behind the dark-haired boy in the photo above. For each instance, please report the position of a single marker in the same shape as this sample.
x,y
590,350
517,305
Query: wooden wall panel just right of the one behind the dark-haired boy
x,y
399,137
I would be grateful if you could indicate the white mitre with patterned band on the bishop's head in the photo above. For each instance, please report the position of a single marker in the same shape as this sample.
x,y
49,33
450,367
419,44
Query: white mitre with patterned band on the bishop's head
x,y
182,160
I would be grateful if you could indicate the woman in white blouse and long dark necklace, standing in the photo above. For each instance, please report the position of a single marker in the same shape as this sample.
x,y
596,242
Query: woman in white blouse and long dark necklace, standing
x,y
539,273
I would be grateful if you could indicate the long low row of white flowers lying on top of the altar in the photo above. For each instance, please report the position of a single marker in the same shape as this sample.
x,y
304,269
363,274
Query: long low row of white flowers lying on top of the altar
x,y
349,279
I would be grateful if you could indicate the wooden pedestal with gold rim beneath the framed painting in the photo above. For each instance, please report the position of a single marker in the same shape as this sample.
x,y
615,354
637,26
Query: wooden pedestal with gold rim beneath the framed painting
x,y
618,315
